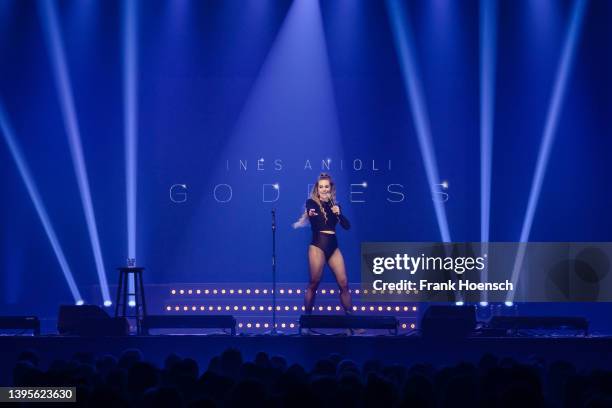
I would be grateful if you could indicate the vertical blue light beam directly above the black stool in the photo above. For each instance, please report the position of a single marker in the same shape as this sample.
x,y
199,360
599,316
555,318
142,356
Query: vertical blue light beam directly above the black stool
x,y
130,115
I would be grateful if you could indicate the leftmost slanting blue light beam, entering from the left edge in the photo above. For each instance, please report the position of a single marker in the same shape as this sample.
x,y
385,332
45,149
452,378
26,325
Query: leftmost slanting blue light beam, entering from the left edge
x,y
28,180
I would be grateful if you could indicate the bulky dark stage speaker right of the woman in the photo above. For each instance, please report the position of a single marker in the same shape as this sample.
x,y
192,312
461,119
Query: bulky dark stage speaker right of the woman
x,y
449,321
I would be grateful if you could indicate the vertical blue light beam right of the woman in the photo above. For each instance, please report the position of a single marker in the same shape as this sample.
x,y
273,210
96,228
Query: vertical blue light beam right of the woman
x,y
488,48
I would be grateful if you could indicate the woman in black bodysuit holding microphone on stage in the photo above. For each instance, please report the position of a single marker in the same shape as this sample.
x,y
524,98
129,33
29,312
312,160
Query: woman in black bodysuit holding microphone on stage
x,y
324,213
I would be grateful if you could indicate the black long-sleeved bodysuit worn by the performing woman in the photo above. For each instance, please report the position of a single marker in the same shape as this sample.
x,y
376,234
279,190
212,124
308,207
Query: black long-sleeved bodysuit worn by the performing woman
x,y
326,242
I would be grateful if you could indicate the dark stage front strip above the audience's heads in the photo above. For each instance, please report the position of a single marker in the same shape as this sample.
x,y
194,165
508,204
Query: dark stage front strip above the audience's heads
x,y
584,352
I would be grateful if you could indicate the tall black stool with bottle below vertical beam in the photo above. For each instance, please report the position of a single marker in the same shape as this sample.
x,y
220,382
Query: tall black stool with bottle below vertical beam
x,y
123,294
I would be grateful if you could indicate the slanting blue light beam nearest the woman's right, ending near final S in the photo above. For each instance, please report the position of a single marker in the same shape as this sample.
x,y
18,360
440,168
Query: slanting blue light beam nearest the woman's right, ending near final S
x,y
404,45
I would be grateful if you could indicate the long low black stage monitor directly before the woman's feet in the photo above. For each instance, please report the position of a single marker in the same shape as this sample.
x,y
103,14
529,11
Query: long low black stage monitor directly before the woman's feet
x,y
348,322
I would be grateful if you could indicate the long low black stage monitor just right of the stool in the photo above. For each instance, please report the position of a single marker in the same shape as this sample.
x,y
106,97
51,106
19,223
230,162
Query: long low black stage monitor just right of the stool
x,y
189,322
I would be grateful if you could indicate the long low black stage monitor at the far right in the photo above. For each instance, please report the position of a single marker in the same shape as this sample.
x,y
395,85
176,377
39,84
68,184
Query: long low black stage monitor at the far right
x,y
513,324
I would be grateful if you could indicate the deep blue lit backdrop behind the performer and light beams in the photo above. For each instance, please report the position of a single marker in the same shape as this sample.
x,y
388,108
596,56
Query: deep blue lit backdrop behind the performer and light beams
x,y
253,79
